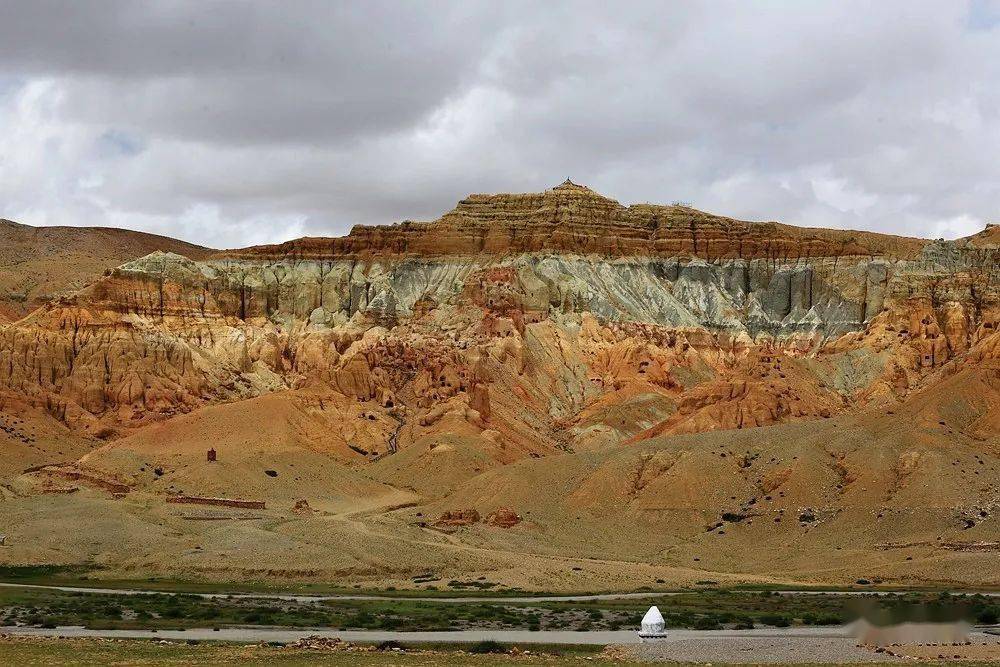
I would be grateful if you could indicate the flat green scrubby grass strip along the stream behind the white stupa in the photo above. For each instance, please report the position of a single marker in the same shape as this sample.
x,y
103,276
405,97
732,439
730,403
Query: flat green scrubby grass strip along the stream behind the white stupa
x,y
702,610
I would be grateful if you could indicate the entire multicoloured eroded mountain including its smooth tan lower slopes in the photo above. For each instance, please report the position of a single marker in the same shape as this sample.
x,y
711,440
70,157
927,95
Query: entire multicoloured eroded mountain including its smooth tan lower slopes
x,y
547,390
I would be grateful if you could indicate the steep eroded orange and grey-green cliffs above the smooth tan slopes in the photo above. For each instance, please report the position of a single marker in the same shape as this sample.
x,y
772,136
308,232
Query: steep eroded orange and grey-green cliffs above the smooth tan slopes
x,y
531,323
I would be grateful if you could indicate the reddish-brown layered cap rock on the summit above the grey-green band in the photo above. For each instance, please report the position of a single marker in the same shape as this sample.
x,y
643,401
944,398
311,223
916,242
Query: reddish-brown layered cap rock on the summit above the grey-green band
x,y
572,218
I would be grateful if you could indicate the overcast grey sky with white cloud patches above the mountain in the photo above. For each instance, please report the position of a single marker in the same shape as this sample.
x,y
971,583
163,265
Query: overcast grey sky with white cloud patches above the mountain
x,y
231,123
